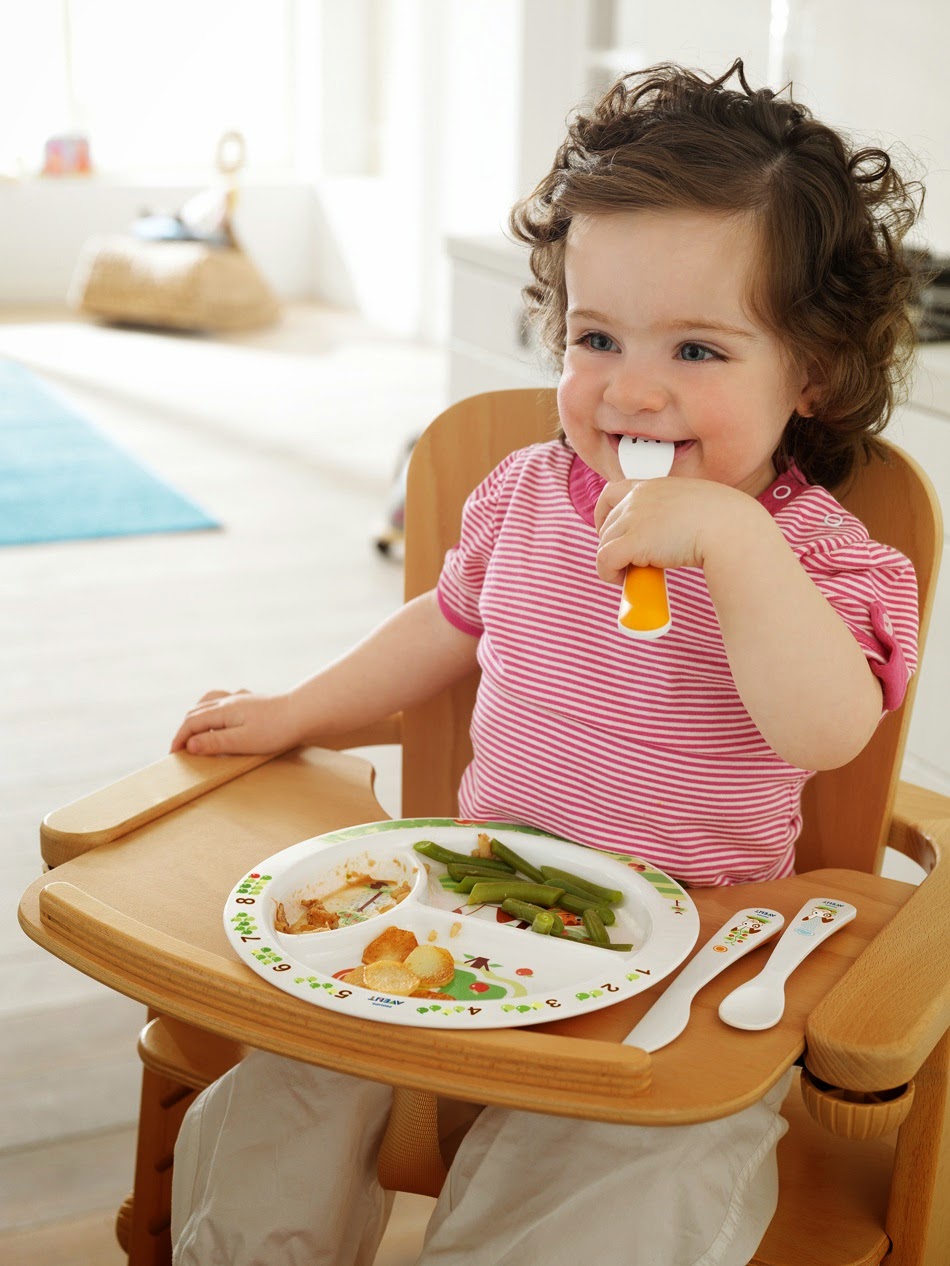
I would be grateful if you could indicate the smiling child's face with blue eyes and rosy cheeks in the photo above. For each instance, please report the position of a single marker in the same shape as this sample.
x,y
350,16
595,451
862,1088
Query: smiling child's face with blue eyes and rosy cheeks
x,y
662,344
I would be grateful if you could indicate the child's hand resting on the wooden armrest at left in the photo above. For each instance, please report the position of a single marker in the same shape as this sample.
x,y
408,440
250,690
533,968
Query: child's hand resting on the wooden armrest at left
x,y
237,724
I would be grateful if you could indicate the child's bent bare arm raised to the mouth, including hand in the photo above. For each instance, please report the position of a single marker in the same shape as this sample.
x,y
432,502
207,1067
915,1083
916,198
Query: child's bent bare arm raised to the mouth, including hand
x,y
801,674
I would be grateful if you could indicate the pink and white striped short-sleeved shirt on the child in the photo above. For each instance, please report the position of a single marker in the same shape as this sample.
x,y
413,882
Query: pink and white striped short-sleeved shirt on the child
x,y
642,748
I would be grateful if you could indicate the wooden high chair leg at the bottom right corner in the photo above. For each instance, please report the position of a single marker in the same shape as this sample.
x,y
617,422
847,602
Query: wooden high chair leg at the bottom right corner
x,y
919,1211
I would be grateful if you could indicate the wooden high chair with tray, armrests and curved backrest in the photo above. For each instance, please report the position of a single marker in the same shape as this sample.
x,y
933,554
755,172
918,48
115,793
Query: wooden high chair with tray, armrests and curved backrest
x,y
141,872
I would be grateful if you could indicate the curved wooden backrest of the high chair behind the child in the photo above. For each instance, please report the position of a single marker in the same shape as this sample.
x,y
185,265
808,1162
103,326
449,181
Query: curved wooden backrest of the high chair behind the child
x,y
845,811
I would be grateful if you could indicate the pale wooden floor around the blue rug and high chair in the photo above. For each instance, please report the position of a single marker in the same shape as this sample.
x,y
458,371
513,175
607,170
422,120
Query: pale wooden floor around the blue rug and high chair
x,y
291,439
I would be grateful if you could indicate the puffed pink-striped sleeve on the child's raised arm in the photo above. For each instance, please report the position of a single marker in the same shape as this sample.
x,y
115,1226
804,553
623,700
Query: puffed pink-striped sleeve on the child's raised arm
x,y
875,592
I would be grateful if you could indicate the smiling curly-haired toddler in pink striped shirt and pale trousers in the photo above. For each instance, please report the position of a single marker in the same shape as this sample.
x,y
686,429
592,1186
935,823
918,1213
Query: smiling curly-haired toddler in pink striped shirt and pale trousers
x,y
716,269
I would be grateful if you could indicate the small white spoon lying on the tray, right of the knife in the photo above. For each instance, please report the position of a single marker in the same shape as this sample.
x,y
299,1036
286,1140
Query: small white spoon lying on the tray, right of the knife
x,y
762,1001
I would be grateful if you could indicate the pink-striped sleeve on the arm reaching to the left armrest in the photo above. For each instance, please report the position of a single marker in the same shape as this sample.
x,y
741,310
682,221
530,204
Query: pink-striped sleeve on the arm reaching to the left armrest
x,y
465,565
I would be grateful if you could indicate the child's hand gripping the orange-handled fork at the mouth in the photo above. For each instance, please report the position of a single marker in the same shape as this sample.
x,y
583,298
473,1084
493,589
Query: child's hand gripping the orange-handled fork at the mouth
x,y
668,523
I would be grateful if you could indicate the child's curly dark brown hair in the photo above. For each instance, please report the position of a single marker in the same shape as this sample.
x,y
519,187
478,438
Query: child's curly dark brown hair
x,y
835,283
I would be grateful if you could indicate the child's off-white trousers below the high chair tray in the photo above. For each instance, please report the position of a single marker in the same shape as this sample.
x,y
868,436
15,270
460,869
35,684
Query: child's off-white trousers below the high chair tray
x,y
277,1167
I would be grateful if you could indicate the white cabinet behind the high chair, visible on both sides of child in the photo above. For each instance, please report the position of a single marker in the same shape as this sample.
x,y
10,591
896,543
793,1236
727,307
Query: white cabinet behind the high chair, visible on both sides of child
x,y
491,350
